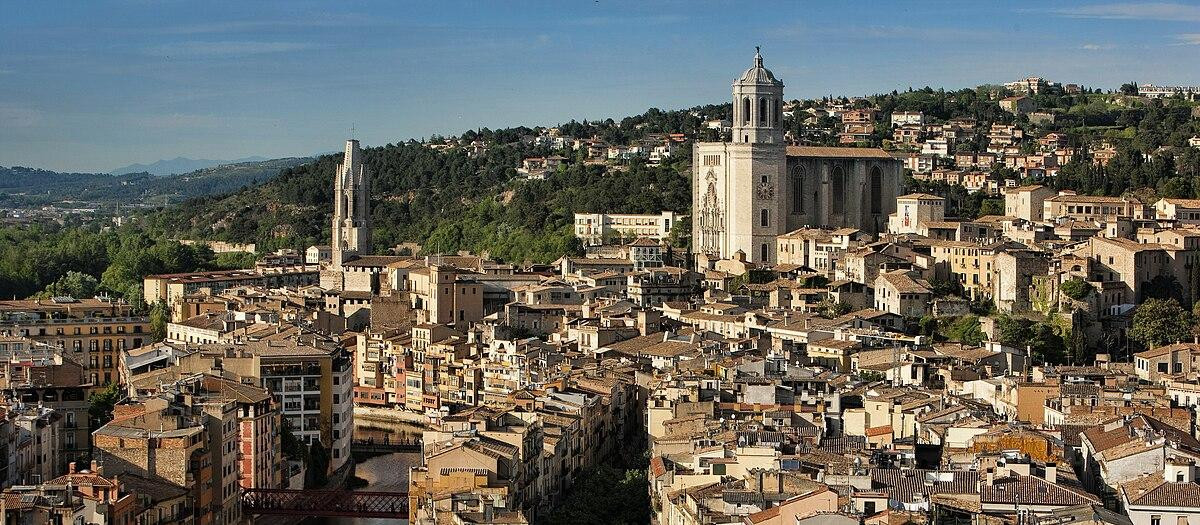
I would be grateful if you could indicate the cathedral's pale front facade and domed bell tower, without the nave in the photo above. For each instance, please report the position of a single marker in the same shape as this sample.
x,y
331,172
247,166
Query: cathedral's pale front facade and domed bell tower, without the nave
x,y
735,197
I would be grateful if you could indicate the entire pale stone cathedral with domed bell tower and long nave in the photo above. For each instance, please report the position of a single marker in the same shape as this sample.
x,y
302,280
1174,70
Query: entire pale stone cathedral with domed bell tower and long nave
x,y
749,191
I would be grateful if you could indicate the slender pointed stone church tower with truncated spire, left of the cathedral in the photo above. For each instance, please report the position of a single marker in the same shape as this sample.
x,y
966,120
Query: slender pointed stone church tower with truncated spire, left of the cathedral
x,y
352,207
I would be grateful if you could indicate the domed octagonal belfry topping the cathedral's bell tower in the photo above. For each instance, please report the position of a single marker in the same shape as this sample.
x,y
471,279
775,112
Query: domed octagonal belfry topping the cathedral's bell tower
x,y
758,106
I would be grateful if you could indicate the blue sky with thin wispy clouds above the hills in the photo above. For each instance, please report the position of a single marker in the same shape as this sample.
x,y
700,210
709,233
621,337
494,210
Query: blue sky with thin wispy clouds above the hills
x,y
100,85
